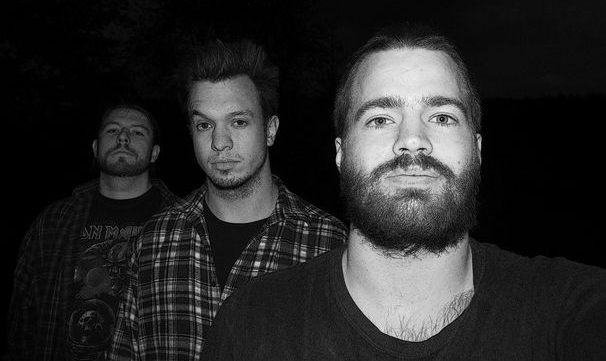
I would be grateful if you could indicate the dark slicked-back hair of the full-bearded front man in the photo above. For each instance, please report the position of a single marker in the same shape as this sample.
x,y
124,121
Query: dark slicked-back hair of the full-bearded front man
x,y
405,36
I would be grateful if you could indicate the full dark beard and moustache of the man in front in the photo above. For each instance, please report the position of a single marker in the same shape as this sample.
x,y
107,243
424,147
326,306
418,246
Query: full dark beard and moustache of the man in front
x,y
407,221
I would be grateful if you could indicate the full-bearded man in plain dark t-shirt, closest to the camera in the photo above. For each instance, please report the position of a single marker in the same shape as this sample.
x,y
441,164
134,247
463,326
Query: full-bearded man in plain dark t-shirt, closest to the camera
x,y
411,284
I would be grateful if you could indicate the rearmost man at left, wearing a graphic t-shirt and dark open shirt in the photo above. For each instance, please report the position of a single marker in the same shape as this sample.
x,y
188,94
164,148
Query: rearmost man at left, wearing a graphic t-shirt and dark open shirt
x,y
70,273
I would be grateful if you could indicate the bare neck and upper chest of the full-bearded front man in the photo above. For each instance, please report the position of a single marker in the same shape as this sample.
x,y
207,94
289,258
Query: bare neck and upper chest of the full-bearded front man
x,y
413,297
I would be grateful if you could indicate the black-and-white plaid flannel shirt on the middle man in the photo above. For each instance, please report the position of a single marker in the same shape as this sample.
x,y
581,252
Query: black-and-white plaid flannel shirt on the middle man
x,y
174,294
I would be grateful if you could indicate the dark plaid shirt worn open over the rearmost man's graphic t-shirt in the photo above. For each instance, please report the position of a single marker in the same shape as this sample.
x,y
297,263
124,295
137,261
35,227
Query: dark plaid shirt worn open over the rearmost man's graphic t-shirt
x,y
44,275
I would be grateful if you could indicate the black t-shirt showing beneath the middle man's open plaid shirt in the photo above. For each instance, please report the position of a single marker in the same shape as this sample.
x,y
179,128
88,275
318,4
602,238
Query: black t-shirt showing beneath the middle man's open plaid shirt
x,y
228,240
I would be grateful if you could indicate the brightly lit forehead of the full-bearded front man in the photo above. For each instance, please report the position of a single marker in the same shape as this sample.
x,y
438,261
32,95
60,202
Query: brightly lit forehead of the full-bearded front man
x,y
410,74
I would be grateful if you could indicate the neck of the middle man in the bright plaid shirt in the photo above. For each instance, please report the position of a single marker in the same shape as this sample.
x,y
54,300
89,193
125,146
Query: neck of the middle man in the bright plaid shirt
x,y
257,201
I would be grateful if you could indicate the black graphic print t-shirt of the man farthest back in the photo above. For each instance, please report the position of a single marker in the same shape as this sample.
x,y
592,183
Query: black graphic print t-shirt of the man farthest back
x,y
100,274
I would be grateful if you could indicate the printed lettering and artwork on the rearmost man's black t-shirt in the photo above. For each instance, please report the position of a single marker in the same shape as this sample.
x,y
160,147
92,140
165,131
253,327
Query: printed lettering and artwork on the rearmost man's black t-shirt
x,y
100,277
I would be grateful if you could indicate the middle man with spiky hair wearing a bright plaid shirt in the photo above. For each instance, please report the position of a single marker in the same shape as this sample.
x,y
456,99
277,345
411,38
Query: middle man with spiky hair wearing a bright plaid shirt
x,y
241,223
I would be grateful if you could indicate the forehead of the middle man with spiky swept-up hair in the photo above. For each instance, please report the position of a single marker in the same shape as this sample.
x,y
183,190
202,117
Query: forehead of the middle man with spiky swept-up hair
x,y
229,95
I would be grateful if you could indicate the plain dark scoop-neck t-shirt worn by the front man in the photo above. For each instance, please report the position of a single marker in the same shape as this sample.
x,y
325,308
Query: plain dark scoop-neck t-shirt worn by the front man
x,y
522,309
